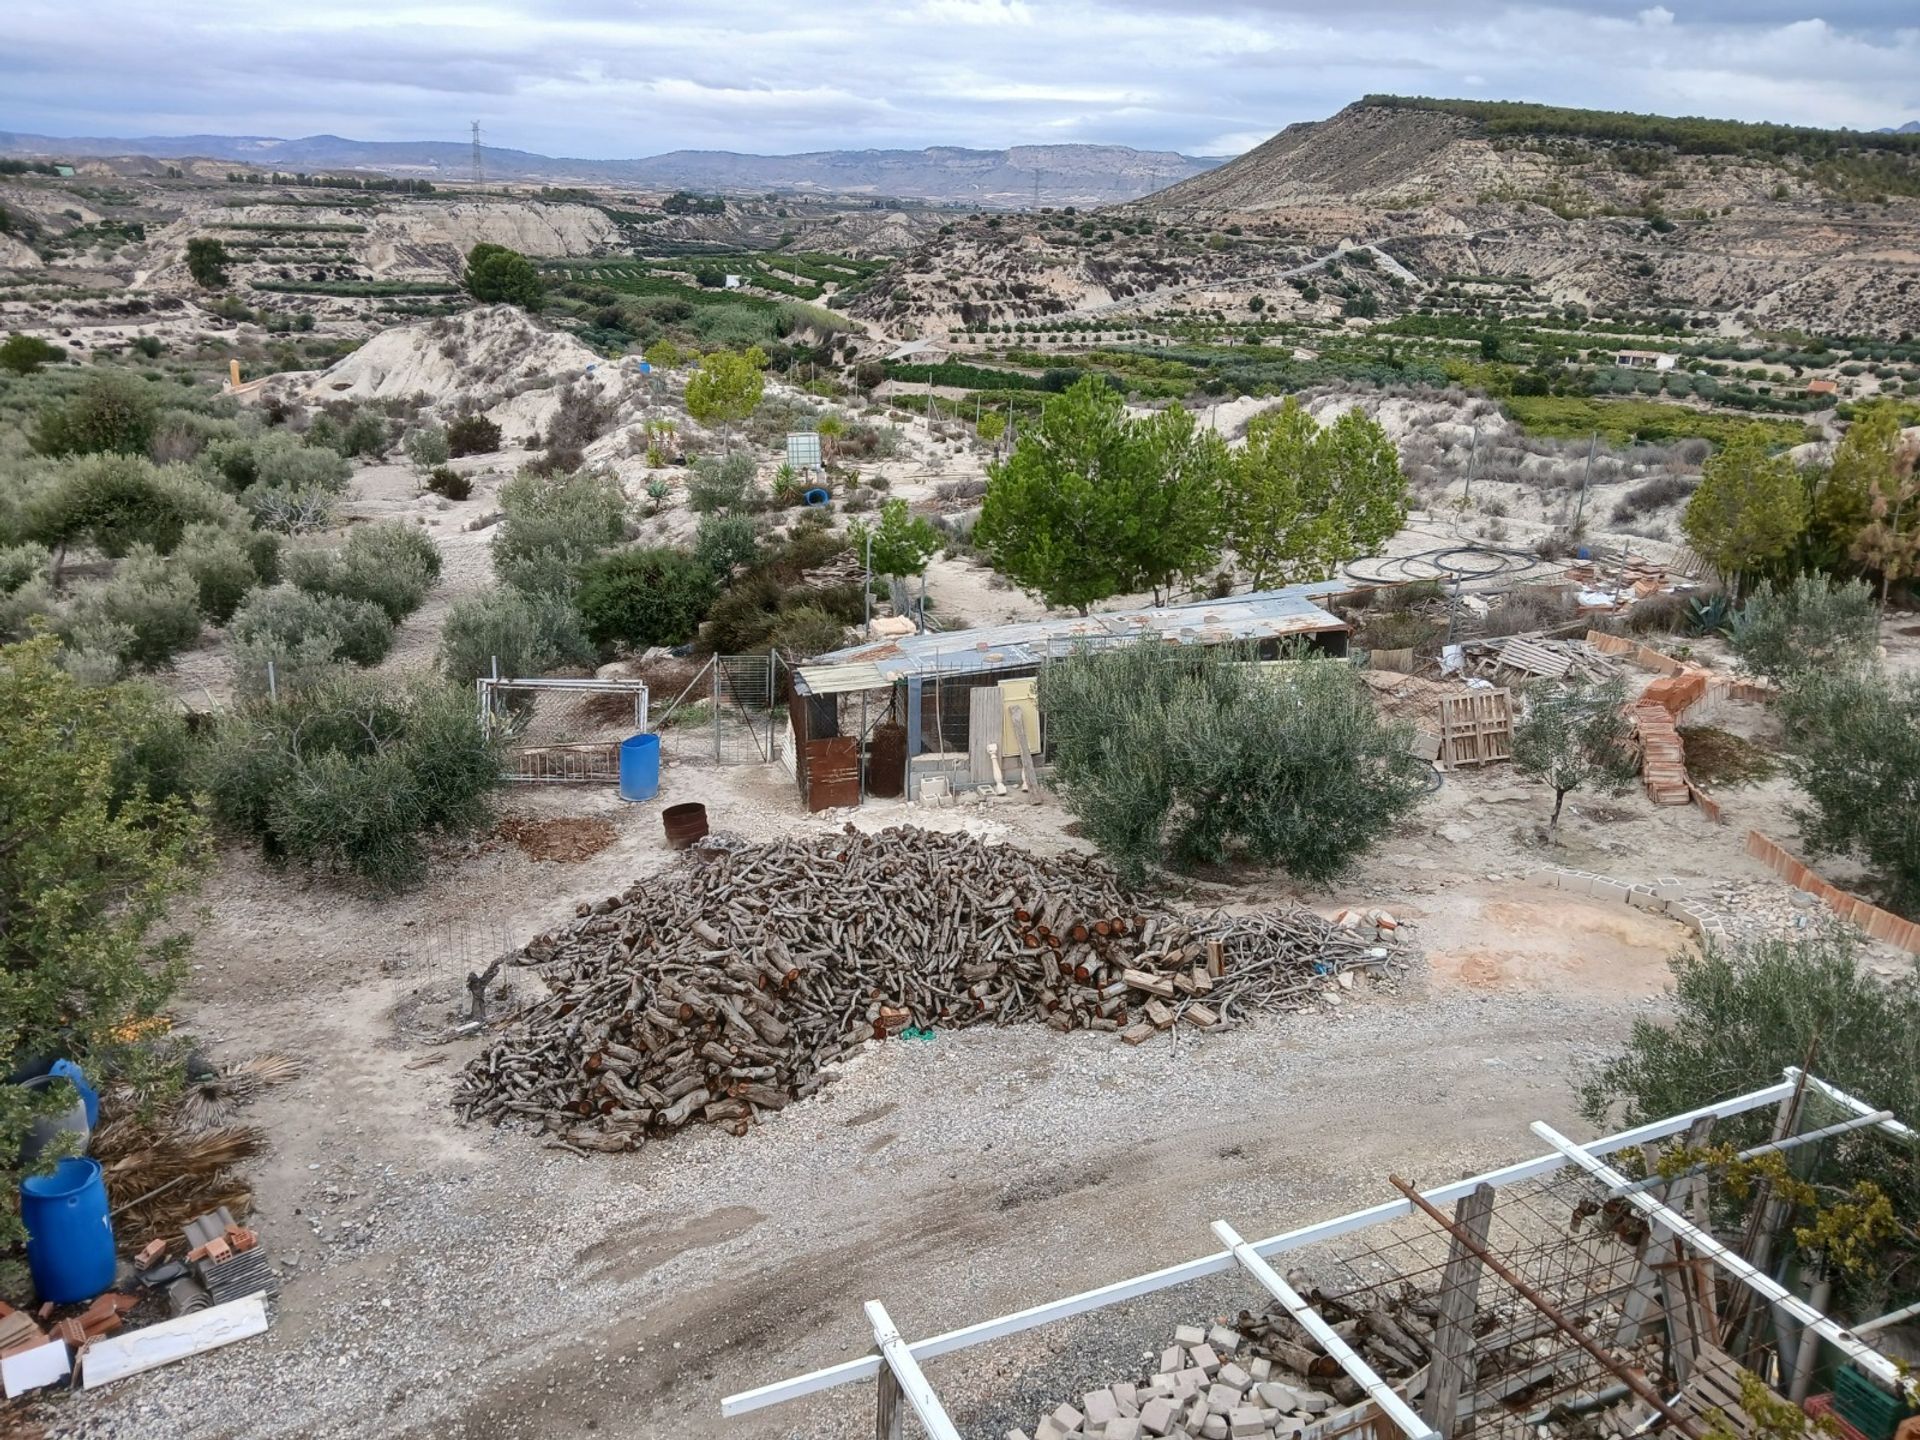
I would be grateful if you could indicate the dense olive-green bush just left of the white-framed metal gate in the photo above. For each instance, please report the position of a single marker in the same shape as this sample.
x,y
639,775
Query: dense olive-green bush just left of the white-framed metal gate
x,y
354,775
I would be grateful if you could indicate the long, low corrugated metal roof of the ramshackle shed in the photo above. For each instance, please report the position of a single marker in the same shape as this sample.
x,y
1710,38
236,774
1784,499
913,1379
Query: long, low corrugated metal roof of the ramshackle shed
x,y
1022,644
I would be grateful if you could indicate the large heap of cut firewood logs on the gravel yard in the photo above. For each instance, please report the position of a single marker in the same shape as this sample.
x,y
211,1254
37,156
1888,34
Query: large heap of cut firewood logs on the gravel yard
x,y
719,992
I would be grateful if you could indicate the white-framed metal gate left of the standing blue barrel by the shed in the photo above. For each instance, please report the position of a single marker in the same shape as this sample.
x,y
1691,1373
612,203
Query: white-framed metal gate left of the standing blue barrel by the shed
x,y
564,732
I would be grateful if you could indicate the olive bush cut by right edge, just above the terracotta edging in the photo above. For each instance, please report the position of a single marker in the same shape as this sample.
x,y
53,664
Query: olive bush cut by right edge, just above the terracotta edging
x,y
1854,748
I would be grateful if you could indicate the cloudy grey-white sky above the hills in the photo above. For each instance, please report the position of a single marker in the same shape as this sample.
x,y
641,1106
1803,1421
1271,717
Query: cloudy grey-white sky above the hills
x,y
633,78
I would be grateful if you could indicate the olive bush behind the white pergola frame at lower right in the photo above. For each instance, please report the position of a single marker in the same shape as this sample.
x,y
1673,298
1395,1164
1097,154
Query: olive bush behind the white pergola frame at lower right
x,y
1739,1017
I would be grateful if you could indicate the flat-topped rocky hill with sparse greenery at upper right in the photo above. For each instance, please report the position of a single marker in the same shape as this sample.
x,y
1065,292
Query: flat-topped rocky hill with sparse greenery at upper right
x,y
1742,226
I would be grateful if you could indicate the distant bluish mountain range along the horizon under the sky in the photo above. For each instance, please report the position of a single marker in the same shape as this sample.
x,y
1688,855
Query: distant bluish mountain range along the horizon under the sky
x,y
1057,176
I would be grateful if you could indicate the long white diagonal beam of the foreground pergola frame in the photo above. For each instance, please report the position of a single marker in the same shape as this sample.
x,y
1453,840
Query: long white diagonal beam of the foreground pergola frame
x,y
1330,1230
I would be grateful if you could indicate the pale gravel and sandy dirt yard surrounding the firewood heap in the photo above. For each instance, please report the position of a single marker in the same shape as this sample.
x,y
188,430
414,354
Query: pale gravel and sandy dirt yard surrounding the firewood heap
x,y
464,1282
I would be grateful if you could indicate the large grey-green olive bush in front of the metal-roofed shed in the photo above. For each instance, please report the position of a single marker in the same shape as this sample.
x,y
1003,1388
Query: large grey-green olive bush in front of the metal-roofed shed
x,y
1199,757
